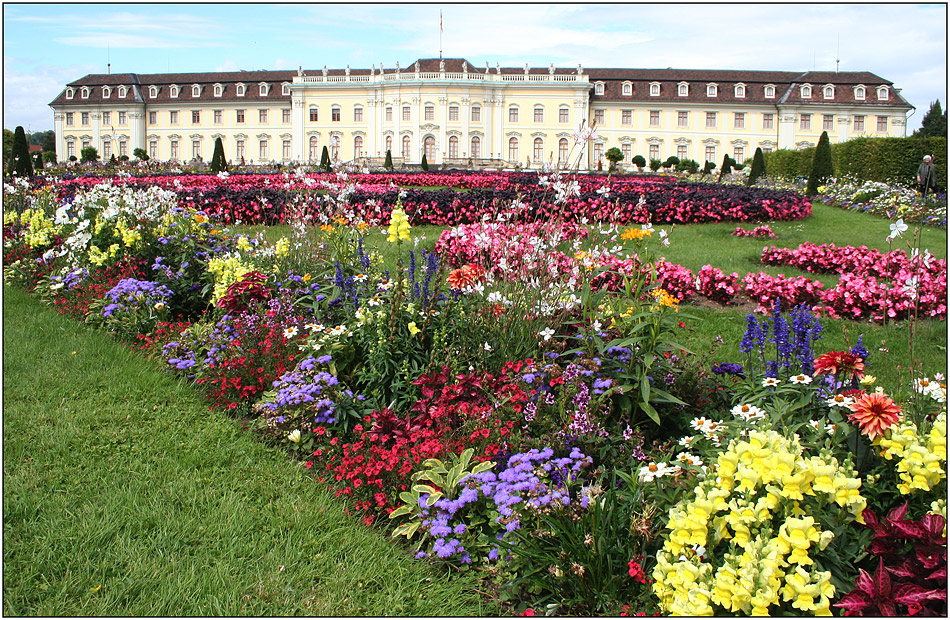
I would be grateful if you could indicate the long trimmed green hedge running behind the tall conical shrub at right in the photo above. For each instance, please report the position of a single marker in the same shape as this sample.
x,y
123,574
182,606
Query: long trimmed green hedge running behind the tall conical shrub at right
x,y
887,160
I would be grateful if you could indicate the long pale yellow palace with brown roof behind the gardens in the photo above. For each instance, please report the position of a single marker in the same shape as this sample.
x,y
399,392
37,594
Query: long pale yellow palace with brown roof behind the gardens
x,y
459,115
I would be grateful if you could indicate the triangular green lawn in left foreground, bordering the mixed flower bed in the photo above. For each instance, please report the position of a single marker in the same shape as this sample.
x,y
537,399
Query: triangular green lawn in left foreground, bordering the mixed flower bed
x,y
123,495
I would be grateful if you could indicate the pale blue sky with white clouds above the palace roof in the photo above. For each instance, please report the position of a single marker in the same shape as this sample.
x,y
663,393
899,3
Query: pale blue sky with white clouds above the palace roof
x,y
45,45
